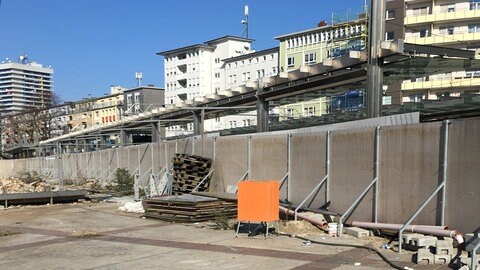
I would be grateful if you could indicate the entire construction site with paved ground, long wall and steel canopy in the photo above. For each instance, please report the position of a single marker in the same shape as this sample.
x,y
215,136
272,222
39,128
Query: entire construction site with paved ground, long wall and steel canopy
x,y
388,187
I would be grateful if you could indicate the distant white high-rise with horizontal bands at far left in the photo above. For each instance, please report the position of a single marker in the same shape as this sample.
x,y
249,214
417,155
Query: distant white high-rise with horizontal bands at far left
x,y
24,85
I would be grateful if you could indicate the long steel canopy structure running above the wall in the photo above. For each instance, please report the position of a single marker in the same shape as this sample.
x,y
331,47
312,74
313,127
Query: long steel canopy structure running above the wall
x,y
399,61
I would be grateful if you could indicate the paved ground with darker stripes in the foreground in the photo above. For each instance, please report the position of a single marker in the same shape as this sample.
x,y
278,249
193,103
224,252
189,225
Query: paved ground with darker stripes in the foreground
x,y
98,236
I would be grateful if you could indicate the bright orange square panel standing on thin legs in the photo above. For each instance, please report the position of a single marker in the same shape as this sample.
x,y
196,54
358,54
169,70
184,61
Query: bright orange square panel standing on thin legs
x,y
258,201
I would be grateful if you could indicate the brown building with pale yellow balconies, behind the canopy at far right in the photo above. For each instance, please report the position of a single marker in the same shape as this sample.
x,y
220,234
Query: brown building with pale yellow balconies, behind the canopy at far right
x,y
445,23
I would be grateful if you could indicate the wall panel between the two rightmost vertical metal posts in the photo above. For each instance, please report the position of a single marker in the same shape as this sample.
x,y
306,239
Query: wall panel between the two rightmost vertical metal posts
x,y
409,171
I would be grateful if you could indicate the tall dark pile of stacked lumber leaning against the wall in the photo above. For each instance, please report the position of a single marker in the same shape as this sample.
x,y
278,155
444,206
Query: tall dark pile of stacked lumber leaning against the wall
x,y
188,172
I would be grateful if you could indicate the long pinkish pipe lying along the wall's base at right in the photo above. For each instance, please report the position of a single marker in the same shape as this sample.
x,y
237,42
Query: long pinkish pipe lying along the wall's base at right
x,y
425,229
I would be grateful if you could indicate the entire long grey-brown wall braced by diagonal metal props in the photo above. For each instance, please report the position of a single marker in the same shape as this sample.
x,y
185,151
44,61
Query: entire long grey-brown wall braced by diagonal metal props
x,y
410,167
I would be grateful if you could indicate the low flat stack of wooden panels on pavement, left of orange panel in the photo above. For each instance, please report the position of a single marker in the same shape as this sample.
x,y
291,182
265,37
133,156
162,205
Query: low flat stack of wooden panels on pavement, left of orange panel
x,y
188,208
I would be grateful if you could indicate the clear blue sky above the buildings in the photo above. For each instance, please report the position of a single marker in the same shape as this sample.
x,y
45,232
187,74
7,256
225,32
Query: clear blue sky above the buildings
x,y
93,44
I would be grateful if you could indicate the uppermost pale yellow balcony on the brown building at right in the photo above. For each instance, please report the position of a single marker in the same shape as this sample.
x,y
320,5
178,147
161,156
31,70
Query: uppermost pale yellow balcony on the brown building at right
x,y
438,17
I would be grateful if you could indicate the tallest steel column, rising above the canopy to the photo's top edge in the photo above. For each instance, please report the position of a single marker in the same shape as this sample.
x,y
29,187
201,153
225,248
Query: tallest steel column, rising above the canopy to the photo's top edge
x,y
376,30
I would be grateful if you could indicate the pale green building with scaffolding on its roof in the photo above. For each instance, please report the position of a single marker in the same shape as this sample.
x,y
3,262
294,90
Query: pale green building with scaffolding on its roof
x,y
313,46
